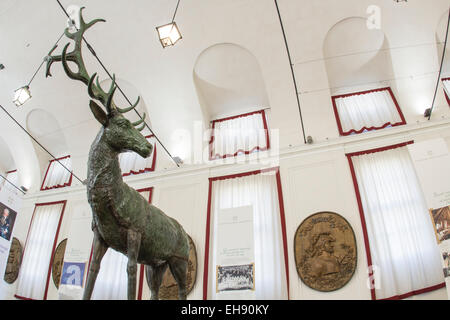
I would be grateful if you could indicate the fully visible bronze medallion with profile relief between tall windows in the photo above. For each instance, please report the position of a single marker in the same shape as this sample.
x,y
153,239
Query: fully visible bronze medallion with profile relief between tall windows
x,y
325,251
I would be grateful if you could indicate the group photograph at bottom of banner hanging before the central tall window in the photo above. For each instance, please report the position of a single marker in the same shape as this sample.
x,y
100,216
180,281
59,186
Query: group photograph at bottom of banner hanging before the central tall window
x,y
239,277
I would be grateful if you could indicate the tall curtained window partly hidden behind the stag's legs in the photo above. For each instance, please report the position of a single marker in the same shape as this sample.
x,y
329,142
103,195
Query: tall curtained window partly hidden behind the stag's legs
x,y
112,279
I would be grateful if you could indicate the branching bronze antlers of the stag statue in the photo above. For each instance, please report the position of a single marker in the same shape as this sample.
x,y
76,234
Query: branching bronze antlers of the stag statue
x,y
95,90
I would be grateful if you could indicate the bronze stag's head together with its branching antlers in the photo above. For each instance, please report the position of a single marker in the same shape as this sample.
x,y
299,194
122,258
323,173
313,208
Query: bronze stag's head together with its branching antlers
x,y
121,134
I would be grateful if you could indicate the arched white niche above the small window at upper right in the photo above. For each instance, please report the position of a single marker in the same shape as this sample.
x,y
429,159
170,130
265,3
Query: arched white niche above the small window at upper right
x,y
356,57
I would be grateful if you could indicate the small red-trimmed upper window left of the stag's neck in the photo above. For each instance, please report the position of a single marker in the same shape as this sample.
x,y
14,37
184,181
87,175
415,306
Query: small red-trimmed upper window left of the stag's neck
x,y
58,174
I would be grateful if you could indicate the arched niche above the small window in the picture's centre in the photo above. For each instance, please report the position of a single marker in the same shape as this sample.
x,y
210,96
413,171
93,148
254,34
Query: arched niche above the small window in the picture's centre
x,y
228,81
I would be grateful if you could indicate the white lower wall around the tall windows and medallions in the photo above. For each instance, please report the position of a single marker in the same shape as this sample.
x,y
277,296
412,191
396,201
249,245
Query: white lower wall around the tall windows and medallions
x,y
313,179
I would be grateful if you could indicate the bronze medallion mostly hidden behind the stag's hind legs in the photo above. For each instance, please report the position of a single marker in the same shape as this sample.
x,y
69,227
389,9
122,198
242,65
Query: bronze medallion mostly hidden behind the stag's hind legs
x,y
169,287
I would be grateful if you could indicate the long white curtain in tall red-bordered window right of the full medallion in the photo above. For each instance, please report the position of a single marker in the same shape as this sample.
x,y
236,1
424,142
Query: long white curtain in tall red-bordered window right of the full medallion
x,y
403,247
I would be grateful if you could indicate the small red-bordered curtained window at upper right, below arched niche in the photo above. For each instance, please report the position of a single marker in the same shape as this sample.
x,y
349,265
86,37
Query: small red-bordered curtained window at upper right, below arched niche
x,y
367,110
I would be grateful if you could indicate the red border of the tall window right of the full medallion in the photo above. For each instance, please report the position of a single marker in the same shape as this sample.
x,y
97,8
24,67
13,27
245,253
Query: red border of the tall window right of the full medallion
x,y
364,225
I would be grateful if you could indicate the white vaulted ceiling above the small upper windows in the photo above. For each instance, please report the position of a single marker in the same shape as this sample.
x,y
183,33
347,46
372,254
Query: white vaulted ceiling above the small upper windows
x,y
192,82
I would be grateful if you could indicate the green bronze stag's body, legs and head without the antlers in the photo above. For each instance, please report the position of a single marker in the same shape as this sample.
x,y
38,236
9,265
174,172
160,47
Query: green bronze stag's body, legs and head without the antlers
x,y
124,220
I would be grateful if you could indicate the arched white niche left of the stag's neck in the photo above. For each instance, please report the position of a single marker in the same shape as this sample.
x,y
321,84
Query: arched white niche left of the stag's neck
x,y
44,127
